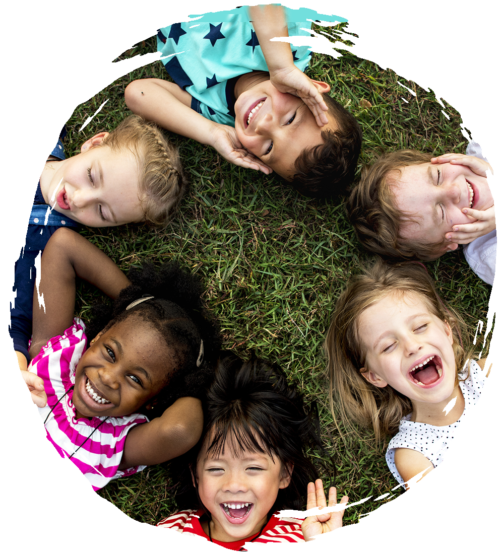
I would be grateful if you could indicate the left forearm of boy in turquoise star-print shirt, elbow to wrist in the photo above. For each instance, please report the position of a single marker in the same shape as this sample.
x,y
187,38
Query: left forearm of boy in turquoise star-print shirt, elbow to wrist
x,y
154,100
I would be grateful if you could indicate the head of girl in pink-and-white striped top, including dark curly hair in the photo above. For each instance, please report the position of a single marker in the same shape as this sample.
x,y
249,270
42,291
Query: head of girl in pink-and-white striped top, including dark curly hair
x,y
142,358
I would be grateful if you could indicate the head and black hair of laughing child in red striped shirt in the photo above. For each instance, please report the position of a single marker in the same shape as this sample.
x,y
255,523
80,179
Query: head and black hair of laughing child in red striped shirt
x,y
251,458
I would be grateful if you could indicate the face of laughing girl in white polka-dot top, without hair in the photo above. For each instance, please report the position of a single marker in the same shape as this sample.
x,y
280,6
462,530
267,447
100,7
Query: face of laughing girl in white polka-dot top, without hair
x,y
408,348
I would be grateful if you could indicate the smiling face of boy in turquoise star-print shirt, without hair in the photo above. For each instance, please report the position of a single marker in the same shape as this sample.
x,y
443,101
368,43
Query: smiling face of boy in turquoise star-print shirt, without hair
x,y
276,127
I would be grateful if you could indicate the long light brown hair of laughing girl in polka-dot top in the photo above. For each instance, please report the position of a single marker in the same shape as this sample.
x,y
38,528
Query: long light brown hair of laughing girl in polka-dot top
x,y
354,399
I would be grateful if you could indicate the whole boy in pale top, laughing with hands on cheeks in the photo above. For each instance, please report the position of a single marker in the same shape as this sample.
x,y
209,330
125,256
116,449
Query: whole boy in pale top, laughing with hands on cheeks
x,y
410,205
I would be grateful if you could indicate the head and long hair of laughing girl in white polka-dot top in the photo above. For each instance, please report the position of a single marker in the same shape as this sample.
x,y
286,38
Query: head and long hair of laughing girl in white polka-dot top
x,y
392,343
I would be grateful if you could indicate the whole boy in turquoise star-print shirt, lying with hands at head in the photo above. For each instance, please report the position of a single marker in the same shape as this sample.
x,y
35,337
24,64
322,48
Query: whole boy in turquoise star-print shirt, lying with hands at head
x,y
241,89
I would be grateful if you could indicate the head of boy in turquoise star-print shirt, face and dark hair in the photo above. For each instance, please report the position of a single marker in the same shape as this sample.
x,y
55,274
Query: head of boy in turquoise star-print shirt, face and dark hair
x,y
283,133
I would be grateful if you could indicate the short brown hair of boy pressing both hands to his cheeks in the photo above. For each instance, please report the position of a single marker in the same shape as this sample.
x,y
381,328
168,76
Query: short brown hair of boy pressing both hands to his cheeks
x,y
374,215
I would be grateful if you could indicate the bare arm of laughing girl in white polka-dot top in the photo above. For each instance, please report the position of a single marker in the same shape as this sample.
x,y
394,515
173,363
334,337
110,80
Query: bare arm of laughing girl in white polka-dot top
x,y
416,470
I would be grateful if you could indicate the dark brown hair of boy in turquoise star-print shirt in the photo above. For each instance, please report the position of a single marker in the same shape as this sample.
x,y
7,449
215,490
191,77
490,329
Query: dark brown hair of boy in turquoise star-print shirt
x,y
327,170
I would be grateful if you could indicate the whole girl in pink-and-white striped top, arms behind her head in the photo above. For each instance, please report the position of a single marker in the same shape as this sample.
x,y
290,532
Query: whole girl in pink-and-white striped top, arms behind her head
x,y
125,392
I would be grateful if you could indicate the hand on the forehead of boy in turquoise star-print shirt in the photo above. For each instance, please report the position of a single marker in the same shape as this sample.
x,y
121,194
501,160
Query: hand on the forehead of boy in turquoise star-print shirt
x,y
293,81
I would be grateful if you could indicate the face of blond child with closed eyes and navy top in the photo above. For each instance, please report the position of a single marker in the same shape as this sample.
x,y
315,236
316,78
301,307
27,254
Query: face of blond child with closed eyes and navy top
x,y
98,187
